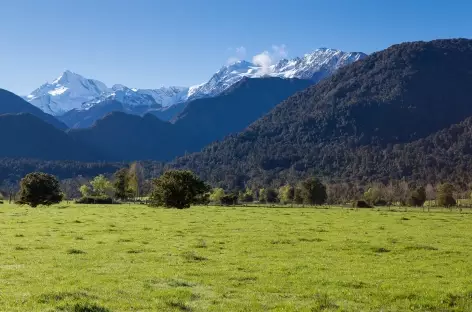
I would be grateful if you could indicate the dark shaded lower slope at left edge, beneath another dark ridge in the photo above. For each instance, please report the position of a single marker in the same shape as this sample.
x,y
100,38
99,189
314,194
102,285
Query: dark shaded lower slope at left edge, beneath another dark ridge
x,y
25,135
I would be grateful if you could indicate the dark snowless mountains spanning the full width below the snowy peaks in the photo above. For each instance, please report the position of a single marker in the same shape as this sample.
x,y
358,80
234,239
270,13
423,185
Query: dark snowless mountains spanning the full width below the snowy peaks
x,y
401,113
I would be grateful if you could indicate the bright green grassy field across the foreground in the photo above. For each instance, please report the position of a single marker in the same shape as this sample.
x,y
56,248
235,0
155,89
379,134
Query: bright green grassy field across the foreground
x,y
135,258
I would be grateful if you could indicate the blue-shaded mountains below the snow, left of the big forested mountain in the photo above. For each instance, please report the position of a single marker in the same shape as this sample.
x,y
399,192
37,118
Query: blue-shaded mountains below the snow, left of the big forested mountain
x,y
126,137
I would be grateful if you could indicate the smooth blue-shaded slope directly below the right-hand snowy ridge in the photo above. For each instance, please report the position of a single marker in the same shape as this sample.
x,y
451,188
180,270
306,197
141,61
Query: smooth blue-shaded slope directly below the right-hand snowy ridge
x,y
209,119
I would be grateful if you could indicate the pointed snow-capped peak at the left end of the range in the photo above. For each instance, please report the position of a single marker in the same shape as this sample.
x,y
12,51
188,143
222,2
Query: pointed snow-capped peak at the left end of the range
x,y
65,93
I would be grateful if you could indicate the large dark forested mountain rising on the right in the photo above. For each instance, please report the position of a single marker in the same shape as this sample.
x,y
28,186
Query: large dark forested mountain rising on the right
x,y
391,98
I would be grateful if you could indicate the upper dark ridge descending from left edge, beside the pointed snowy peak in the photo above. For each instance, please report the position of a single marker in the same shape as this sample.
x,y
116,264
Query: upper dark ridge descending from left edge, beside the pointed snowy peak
x,y
13,104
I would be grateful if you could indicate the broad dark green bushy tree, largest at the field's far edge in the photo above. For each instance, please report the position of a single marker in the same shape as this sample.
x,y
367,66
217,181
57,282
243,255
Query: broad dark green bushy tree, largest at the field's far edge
x,y
177,189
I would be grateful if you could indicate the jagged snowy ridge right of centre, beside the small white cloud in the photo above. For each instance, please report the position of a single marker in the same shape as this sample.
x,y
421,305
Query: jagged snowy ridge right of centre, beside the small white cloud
x,y
314,66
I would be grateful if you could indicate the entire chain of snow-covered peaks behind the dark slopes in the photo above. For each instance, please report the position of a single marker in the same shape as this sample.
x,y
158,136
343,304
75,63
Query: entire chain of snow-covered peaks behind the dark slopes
x,y
71,97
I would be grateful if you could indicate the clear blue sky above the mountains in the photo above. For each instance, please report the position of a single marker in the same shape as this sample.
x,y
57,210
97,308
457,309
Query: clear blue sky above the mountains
x,y
150,43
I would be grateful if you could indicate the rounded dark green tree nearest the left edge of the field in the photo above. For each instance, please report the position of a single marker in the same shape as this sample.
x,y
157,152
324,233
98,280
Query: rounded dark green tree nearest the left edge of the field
x,y
39,188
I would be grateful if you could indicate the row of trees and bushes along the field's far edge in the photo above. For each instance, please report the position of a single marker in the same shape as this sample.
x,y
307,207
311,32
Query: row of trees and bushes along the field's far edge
x,y
182,188
